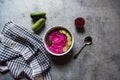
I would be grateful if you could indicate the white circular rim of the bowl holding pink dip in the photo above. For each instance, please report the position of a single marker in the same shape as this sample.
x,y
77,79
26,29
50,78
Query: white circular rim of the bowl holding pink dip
x,y
49,30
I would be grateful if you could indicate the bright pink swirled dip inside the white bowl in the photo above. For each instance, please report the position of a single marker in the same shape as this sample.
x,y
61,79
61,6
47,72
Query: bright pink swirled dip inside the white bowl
x,y
58,42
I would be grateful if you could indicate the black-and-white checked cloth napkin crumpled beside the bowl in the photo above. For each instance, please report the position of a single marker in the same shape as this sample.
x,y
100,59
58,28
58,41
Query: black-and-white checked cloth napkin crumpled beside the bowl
x,y
24,53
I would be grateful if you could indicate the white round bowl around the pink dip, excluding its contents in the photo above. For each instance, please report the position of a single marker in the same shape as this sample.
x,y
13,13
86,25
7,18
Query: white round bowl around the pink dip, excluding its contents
x,y
54,28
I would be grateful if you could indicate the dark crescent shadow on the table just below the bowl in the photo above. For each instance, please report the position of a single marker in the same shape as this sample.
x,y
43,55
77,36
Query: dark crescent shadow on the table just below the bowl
x,y
61,60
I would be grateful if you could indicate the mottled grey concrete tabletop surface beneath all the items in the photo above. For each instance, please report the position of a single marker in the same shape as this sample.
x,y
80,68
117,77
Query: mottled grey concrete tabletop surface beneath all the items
x,y
99,61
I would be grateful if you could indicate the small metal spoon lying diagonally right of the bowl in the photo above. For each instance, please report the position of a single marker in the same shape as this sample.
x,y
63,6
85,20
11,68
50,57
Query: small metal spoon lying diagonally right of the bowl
x,y
87,41
